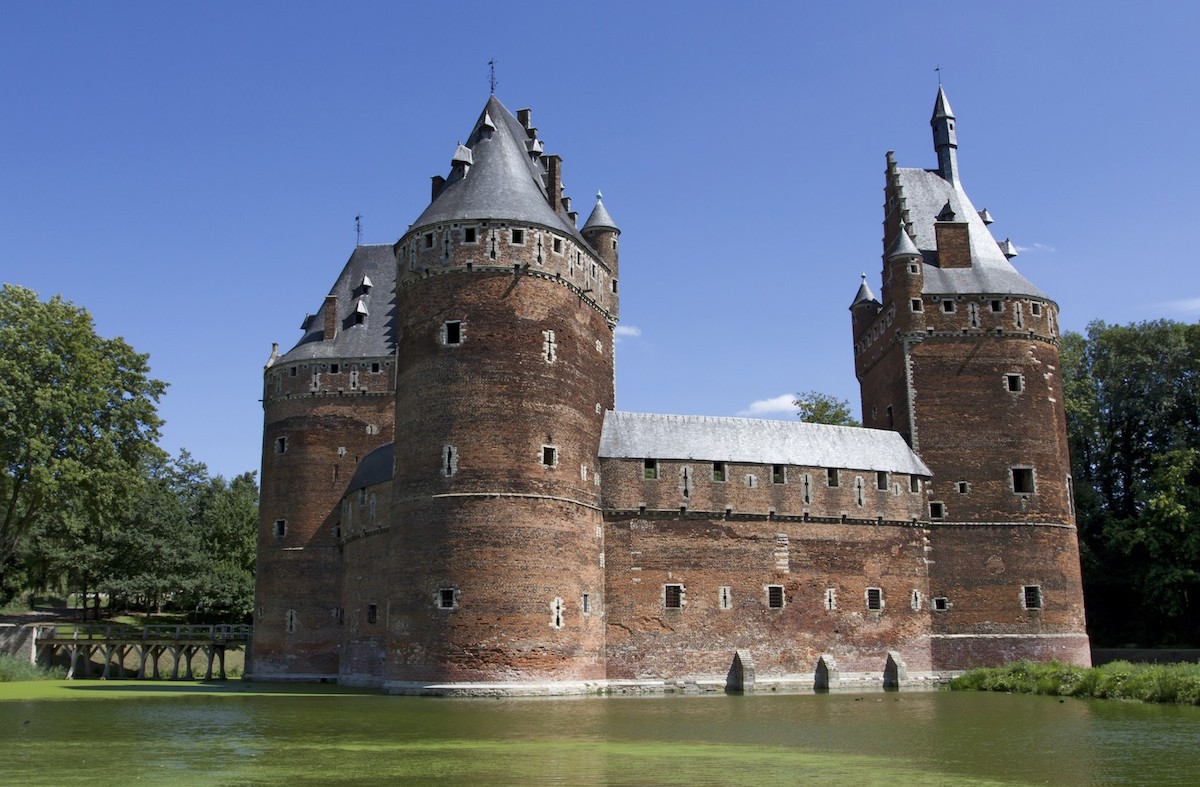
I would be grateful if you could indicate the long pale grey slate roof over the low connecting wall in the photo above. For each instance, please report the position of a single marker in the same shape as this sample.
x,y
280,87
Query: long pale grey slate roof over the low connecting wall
x,y
731,440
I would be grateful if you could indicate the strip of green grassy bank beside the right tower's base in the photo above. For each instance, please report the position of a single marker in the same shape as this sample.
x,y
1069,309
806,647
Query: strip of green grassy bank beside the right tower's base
x,y
1175,683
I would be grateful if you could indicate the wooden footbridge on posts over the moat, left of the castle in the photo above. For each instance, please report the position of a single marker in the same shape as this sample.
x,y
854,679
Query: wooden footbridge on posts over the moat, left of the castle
x,y
115,644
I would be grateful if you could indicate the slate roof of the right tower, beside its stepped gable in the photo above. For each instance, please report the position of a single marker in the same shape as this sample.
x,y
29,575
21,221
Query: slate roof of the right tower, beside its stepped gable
x,y
926,194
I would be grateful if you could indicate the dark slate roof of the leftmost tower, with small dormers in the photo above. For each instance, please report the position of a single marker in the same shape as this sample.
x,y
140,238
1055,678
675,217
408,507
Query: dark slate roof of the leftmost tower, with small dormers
x,y
376,337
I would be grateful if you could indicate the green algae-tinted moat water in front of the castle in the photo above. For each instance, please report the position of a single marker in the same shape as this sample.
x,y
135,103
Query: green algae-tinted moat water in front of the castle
x,y
167,734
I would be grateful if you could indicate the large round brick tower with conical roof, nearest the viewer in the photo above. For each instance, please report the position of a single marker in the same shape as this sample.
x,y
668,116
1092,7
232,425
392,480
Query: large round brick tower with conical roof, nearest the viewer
x,y
505,370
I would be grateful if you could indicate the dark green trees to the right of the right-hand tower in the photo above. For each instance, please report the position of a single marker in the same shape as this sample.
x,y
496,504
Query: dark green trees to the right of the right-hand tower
x,y
1133,419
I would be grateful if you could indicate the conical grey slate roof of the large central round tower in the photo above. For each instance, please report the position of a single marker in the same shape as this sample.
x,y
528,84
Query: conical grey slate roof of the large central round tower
x,y
502,183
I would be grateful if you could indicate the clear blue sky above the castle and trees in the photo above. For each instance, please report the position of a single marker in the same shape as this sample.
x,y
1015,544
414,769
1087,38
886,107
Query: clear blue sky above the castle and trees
x,y
190,173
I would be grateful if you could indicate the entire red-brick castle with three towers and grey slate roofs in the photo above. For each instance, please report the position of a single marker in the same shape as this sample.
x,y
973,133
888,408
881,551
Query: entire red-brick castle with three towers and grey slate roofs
x,y
452,504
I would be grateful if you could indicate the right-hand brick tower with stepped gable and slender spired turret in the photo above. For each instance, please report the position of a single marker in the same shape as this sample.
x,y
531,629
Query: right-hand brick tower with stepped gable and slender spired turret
x,y
961,356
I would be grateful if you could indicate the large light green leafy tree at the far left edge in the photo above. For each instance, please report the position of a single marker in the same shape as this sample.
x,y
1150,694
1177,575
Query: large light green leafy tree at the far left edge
x,y
77,418
